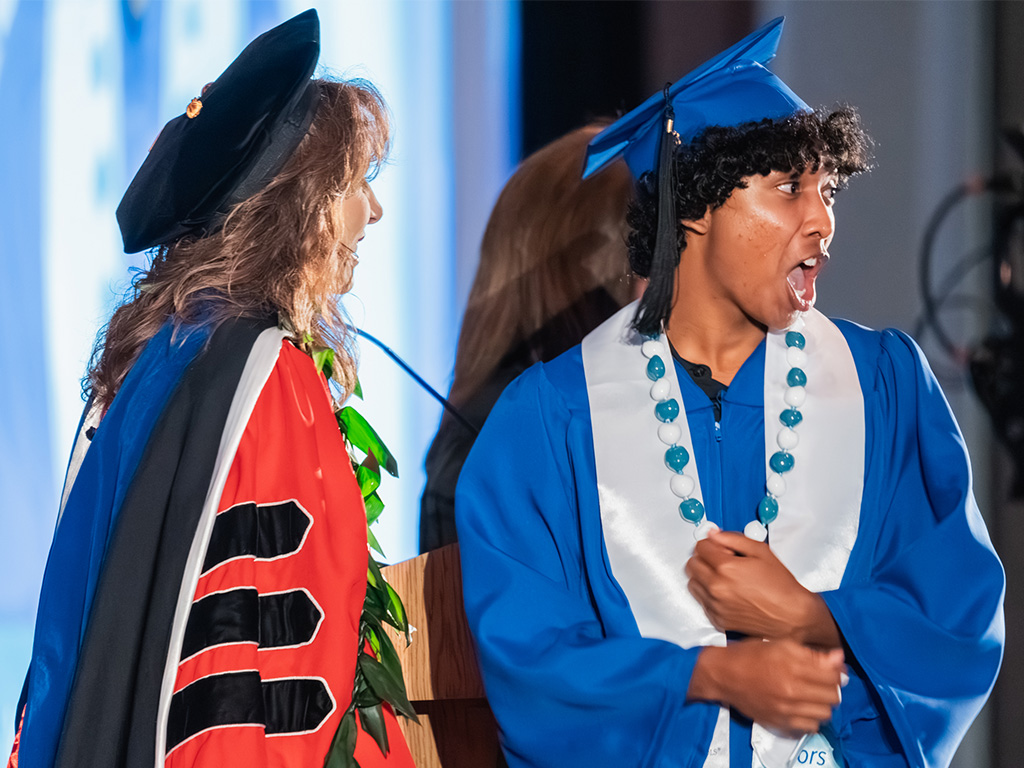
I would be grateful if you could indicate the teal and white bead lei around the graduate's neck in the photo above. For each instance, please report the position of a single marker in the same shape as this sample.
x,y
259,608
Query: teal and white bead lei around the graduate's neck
x,y
677,458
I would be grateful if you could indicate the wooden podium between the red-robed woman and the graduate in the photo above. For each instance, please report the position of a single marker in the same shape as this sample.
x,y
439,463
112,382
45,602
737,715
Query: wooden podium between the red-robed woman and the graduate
x,y
457,730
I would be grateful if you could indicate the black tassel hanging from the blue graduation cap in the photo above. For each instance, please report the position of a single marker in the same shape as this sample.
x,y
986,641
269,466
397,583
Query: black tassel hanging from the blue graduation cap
x,y
657,302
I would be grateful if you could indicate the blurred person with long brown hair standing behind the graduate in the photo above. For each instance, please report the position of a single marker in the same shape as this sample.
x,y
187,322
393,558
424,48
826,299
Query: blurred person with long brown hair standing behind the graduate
x,y
553,267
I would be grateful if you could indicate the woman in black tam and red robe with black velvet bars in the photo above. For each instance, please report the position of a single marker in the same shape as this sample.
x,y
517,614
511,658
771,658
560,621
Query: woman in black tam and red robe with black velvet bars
x,y
203,602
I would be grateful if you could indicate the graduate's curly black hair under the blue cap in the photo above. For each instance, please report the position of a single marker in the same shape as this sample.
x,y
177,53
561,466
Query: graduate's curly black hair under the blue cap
x,y
717,161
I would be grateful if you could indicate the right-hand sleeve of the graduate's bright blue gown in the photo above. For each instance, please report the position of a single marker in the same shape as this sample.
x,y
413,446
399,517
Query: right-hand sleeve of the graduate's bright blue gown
x,y
921,605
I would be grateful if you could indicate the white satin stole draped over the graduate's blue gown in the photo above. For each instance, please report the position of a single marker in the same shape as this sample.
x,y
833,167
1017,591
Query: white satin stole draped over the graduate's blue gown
x,y
649,543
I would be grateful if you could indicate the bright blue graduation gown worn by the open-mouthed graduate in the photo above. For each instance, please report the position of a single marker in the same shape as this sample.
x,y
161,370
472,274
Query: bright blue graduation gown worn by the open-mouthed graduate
x,y
570,678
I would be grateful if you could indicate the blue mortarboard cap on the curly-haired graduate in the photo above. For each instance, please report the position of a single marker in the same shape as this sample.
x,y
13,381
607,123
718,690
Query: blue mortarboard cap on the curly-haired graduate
x,y
734,88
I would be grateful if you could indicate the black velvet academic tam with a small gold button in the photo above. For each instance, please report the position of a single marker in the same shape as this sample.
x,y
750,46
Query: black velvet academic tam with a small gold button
x,y
233,139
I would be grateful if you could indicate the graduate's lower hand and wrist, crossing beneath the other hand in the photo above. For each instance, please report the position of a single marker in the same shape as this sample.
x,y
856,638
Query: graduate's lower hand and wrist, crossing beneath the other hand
x,y
780,685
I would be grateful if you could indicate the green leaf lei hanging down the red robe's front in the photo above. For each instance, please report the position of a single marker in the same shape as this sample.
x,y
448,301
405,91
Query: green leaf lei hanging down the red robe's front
x,y
378,675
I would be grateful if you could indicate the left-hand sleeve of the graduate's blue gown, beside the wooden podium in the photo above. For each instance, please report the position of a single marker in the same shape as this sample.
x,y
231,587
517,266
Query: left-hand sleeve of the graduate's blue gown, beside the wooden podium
x,y
566,690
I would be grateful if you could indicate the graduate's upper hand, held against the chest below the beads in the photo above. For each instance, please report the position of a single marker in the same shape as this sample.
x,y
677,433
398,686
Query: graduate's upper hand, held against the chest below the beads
x,y
743,587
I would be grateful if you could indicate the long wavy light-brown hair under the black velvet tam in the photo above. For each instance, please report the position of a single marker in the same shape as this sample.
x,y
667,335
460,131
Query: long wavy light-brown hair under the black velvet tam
x,y
278,252
